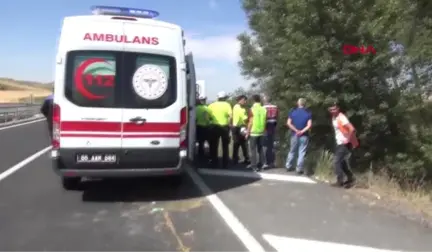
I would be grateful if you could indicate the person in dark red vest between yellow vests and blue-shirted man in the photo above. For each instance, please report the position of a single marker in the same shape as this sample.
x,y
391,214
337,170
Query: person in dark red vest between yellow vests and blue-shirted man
x,y
271,123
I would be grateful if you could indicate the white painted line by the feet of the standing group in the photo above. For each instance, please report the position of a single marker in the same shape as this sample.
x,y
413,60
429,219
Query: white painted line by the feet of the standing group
x,y
259,175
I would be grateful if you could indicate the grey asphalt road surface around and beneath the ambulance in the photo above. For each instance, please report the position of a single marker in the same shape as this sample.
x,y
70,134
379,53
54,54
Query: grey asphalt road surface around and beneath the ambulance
x,y
275,213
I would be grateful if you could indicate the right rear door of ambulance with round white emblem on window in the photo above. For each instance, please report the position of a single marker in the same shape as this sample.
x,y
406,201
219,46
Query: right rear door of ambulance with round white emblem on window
x,y
152,98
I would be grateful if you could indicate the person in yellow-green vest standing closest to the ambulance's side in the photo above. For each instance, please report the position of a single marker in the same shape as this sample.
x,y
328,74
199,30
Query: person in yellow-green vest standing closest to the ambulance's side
x,y
203,122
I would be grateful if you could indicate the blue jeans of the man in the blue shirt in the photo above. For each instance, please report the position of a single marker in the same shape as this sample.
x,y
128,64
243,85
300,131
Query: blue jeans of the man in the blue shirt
x,y
298,146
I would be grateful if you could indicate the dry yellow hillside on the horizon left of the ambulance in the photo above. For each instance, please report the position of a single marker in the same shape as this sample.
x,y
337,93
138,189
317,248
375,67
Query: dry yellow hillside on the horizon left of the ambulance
x,y
15,91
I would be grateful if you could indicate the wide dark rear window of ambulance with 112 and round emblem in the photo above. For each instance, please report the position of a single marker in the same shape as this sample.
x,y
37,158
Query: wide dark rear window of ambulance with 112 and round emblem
x,y
112,79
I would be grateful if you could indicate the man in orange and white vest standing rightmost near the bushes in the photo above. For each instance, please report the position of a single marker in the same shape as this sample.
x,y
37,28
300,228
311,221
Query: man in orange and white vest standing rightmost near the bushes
x,y
346,140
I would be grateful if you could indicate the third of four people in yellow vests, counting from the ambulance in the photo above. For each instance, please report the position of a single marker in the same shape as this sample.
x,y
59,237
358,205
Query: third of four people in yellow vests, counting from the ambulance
x,y
240,117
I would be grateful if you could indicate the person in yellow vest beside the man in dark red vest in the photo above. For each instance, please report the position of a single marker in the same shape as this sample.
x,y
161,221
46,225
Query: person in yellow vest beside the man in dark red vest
x,y
255,133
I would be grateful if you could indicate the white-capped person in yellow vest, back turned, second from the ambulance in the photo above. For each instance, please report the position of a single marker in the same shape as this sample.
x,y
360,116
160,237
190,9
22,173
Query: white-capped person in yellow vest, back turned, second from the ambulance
x,y
221,116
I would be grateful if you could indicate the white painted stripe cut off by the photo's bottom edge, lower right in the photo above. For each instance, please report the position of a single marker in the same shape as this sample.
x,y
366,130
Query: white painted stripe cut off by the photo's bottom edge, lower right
x,y
286,244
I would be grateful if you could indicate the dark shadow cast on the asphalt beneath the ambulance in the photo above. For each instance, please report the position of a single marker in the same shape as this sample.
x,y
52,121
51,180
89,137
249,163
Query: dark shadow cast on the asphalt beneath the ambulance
x,y
152,189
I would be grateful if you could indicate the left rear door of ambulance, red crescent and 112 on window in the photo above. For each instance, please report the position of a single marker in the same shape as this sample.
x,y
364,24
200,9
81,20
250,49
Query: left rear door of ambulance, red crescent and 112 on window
x,y
88,89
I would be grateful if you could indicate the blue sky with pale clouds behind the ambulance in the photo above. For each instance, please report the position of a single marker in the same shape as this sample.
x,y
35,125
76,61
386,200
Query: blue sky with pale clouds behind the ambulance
x,y
30,30
